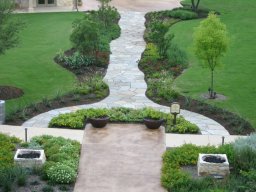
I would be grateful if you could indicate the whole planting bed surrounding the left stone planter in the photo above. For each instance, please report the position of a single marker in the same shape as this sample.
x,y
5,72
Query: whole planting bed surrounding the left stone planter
x,y
59,171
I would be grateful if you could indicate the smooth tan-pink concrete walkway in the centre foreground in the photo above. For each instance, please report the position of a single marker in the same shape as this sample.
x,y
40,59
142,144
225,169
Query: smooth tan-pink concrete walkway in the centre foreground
x,y
121,158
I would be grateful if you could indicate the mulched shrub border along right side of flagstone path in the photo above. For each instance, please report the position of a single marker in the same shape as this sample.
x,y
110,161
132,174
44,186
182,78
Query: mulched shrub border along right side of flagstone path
x,y
160,72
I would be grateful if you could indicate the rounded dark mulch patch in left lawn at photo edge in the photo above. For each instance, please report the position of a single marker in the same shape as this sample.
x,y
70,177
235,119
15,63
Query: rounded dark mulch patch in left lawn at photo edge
x,y
8,92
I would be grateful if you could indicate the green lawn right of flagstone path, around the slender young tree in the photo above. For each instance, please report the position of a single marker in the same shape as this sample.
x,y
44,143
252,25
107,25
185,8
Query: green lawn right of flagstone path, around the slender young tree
x,y
236,77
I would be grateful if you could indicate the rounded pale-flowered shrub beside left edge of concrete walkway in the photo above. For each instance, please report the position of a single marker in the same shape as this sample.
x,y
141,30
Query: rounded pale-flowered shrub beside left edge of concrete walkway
x,y
61,173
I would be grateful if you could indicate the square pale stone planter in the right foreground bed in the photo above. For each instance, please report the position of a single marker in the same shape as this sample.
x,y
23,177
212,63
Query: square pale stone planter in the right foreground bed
x,y
215,165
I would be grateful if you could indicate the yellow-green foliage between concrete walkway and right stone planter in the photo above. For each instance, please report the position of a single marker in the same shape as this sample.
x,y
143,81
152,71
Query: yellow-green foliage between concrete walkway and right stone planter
x,y
174,178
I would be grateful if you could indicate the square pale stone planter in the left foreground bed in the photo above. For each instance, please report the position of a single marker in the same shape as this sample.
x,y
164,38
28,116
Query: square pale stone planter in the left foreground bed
x,y
29,157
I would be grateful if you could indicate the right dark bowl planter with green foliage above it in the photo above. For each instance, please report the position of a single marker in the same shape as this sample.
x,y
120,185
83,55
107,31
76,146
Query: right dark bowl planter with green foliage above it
x,y
152,119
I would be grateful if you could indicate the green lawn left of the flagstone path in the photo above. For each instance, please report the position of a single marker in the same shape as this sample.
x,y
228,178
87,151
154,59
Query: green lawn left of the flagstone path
x,y
30,66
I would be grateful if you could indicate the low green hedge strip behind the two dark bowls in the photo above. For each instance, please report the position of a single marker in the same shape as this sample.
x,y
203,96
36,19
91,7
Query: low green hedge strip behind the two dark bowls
x,y
77,120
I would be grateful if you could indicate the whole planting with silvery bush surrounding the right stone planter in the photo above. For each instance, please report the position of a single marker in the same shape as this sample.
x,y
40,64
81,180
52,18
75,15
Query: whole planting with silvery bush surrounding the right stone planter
x,y
242,177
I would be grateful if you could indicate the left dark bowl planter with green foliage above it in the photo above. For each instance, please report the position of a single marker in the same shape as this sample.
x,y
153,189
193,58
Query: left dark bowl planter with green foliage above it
x,y
97,117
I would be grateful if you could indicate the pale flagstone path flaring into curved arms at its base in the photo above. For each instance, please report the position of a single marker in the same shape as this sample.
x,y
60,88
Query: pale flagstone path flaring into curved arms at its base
x,y
126,81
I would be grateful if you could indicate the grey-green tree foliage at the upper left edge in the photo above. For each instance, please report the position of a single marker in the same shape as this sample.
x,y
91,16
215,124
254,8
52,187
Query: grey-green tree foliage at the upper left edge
x,y
9,26
